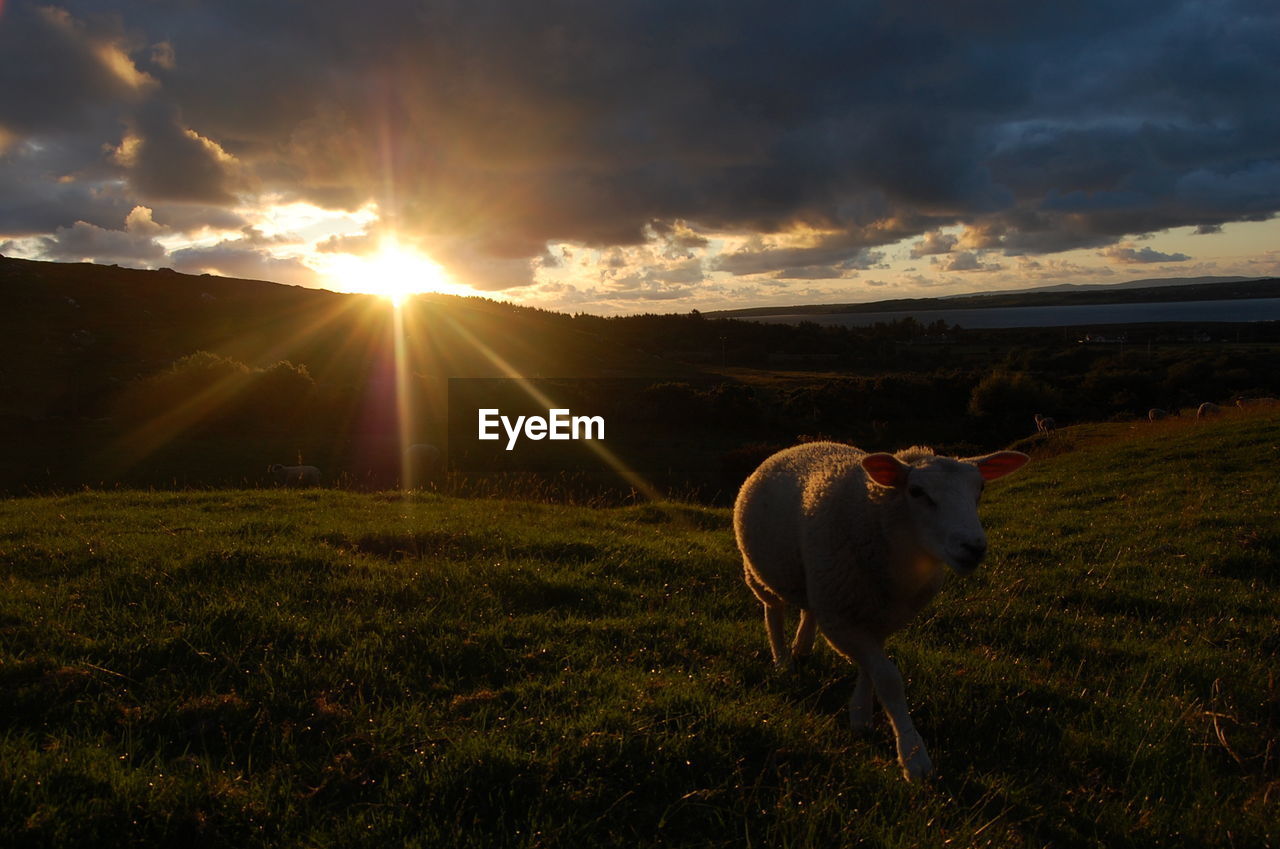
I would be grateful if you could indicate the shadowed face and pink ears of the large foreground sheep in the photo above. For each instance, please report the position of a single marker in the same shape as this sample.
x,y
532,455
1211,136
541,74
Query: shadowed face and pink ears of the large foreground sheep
x,y
941,497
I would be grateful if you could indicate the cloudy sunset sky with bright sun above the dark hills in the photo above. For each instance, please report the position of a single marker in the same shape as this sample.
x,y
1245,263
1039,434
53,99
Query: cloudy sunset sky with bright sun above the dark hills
x,y
646,157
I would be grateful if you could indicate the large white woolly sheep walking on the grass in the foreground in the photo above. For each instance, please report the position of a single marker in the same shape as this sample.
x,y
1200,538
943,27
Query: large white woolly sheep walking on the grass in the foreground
x,y
860,542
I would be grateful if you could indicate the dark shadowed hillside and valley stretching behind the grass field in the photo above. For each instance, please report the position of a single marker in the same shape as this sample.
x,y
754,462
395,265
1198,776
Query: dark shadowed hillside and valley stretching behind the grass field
x,y
124,378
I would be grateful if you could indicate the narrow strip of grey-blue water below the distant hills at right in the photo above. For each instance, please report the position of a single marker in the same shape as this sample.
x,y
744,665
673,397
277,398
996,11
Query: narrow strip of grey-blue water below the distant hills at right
x,y
1057,317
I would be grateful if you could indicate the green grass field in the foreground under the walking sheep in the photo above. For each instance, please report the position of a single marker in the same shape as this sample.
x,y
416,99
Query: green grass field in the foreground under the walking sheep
x,y
330,669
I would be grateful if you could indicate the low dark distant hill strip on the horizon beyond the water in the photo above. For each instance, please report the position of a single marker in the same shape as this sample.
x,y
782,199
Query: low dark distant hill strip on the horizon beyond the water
x,y
1156,290
